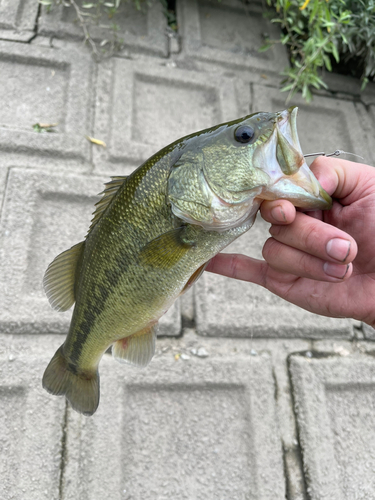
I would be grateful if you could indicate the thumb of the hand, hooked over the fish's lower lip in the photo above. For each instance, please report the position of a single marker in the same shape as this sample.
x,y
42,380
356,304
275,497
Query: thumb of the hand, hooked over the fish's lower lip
x,y
344,180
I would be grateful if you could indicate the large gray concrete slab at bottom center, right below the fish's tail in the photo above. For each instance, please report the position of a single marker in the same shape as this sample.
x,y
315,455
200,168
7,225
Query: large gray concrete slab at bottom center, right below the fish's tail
x,y
203,428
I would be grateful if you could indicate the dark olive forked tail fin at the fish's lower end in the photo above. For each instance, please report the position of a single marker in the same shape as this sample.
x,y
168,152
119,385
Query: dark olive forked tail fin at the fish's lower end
x,y
80,389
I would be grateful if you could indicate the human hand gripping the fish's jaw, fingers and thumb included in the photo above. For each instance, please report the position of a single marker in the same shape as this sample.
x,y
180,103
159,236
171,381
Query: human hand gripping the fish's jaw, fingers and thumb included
x,y
322,261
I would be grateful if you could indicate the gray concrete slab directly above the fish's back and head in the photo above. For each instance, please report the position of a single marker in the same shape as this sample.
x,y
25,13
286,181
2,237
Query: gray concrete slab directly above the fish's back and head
x,y
142,106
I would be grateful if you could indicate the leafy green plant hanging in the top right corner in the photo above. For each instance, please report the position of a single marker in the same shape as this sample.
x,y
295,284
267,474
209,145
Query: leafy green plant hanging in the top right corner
x,y
320,34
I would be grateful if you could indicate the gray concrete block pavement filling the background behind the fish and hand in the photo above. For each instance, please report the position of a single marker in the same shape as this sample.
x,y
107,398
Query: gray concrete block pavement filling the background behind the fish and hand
x,y
247,398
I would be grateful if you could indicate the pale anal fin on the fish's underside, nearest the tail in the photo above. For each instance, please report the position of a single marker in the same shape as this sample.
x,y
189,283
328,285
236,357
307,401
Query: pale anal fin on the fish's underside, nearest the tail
x,y
137,349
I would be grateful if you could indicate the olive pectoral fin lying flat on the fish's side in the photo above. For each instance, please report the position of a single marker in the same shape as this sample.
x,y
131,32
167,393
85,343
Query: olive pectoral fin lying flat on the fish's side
x,y
167,249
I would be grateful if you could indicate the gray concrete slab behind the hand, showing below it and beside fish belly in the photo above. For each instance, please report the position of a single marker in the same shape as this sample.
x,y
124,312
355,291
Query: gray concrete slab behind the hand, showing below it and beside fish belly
x,y
232,308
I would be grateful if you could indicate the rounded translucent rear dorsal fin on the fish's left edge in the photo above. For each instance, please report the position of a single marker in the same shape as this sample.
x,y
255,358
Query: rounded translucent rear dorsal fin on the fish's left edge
x,y
60,277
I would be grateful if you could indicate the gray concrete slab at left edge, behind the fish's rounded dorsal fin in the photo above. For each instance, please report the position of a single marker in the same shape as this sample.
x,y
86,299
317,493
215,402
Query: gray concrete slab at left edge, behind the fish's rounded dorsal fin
x,y
54,214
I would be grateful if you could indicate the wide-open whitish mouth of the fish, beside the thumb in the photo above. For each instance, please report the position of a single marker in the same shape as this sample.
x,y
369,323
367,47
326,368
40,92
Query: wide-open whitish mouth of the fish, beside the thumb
x,y
283,160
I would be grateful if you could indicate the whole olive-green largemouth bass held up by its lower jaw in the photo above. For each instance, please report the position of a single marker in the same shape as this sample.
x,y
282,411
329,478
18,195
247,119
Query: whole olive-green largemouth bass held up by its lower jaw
x,y
153,233
